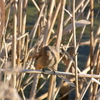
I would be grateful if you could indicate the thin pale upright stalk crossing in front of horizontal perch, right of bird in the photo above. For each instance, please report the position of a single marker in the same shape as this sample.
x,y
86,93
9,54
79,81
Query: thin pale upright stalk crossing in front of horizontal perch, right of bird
x,y
75,52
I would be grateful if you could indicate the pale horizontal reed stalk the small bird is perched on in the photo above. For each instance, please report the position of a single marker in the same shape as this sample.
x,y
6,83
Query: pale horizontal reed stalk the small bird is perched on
x,y
50,72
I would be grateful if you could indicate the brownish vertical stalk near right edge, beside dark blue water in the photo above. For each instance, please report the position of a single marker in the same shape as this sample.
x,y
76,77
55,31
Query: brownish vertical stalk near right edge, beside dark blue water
x,y
91,43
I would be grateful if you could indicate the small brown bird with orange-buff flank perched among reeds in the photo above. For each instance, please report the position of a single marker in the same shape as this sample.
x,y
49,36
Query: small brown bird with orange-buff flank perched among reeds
x,y
48,57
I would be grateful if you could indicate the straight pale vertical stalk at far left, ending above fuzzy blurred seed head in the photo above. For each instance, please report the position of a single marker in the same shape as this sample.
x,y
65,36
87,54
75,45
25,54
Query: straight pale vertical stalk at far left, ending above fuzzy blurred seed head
x,y
14,42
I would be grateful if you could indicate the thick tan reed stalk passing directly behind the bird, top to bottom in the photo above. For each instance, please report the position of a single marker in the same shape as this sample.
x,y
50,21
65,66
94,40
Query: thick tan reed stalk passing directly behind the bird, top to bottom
x,y
59,38
